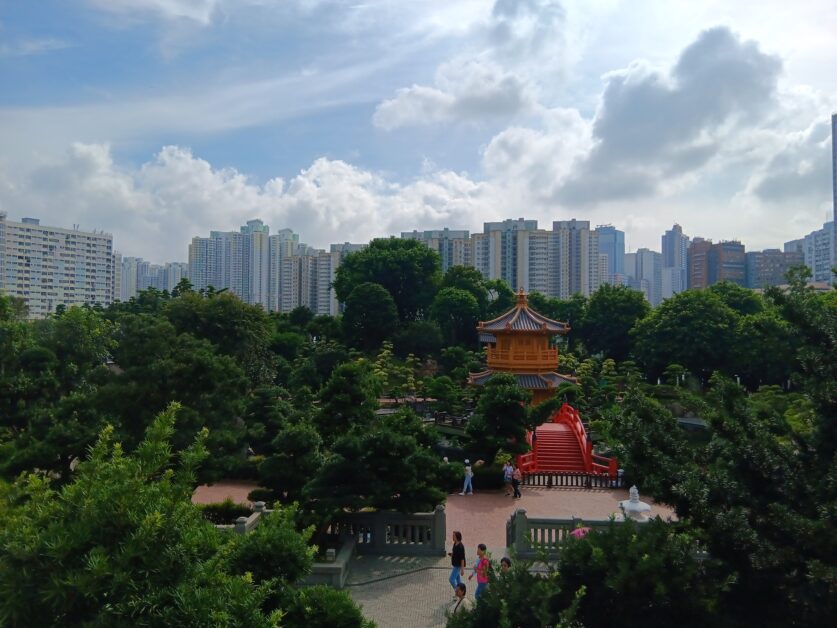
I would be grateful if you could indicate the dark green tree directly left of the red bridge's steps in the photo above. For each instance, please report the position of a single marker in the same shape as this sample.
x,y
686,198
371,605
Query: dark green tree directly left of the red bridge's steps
x,y
501,418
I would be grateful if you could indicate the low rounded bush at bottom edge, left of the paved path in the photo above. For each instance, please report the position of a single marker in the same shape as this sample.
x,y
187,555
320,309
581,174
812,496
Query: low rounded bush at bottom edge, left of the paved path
x,y
324,607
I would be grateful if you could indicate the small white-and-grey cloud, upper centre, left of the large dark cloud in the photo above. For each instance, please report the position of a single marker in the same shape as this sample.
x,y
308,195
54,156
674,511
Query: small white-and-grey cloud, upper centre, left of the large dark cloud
x,y
466,90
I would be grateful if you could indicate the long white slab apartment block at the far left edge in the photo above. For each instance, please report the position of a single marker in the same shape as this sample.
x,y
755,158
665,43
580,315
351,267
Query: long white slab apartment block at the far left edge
x,y
51,266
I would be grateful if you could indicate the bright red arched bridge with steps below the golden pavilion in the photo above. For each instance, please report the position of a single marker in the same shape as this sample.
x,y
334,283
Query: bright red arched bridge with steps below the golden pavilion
x,y
561,445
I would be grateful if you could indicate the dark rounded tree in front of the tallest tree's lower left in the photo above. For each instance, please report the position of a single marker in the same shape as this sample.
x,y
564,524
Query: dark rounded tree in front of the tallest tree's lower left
x,y
370,316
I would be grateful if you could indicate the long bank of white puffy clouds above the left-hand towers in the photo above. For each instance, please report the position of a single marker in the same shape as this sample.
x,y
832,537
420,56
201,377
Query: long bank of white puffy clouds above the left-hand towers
x,y
155,209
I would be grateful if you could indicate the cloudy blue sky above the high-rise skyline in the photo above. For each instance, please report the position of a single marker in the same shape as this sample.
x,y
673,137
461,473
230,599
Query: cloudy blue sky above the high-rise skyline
x,y
160,120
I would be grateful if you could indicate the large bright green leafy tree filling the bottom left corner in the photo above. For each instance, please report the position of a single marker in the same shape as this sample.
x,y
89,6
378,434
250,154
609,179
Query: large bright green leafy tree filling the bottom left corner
x,y
121,545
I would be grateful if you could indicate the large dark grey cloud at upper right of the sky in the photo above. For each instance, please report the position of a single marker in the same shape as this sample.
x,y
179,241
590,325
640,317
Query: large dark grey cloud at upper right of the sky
x,y
651,127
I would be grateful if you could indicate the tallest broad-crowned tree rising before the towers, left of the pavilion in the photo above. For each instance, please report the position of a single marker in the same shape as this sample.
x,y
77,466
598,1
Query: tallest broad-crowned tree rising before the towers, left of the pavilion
x,y
407,269
